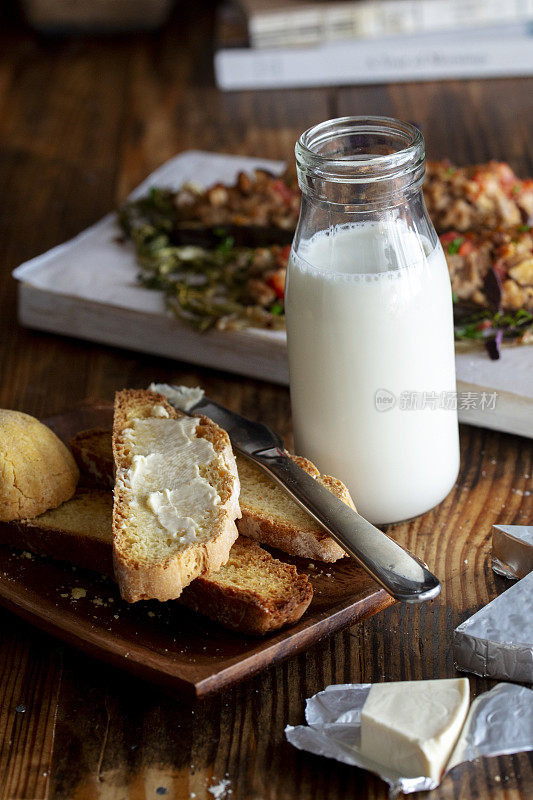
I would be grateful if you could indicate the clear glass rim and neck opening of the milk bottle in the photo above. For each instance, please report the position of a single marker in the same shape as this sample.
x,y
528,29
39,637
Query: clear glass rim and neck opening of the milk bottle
x,y
364,162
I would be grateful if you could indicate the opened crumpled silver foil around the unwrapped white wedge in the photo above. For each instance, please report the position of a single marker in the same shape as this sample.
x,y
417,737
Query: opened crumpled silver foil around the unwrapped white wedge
x,y
499,722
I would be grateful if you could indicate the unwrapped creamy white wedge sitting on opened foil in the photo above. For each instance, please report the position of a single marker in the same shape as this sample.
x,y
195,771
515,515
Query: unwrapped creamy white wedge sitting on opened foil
x,y
412,726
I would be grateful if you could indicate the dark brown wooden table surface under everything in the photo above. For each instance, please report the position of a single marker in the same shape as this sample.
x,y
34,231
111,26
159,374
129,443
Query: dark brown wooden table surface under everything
x,y
81,123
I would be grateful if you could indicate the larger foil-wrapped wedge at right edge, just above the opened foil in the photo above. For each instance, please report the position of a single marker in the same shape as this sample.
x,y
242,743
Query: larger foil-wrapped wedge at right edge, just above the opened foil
x,y
497,642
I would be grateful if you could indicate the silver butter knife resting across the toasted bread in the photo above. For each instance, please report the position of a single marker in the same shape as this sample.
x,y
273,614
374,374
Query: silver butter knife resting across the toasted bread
x,y
400,573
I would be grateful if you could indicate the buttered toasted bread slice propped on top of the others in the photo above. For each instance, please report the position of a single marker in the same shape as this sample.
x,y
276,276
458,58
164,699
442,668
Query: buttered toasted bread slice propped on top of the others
x,y
176,497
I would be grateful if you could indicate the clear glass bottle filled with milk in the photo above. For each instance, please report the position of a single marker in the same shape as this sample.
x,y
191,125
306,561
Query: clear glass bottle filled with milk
x,y
369,320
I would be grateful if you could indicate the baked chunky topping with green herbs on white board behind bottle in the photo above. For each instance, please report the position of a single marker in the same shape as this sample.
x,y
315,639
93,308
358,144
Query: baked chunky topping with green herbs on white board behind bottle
x,y
220,254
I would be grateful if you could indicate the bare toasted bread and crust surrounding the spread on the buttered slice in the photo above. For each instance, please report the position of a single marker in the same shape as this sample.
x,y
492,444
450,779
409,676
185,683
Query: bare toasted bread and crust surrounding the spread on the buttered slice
x,y
167,579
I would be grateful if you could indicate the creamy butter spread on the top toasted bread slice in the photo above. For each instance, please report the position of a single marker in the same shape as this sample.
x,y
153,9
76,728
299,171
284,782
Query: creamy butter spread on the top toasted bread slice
x,y
165,474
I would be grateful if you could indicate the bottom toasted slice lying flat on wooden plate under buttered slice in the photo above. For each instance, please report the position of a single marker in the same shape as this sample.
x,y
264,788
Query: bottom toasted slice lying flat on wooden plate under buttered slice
x,y
254,593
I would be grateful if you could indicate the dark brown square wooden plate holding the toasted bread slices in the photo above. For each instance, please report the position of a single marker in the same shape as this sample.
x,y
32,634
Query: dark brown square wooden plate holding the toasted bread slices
x,y
164,642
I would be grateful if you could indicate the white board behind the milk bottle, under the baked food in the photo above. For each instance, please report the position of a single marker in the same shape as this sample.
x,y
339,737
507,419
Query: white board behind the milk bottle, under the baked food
x,y
87,288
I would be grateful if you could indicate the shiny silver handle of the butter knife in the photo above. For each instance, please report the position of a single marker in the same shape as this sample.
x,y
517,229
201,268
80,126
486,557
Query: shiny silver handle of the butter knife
x,y
399,572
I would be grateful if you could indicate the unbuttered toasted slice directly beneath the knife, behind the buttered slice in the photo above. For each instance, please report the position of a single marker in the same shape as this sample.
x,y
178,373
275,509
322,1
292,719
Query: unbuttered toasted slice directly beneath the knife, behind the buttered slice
x,y
268,513
